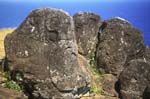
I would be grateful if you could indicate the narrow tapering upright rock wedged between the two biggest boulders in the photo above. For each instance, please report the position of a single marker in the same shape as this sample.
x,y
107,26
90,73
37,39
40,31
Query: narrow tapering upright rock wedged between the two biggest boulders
x,y
86,30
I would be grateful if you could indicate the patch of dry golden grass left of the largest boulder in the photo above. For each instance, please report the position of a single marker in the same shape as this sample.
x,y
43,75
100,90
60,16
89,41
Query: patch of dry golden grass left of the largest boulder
x,y
3,33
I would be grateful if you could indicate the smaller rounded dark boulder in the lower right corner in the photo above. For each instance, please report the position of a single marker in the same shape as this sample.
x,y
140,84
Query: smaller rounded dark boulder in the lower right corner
x,y
134,79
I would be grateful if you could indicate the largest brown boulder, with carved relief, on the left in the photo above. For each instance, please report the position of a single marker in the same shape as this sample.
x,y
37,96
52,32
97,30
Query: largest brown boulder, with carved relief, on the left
x,y
43,49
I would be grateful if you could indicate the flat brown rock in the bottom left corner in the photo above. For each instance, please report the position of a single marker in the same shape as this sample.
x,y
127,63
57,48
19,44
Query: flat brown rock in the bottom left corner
x,y
10,94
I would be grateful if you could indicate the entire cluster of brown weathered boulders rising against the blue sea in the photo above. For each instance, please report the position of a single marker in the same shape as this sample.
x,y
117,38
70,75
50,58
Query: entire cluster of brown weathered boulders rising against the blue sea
x,y
52,52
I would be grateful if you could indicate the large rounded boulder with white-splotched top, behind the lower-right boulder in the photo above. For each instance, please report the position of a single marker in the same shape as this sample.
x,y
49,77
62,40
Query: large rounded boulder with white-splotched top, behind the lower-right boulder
x,y
118,43
